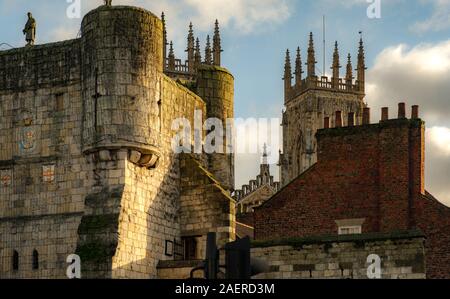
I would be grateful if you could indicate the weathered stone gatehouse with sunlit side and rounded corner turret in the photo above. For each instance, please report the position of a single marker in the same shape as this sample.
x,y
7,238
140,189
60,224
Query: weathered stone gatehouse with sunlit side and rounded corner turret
x,y
86,161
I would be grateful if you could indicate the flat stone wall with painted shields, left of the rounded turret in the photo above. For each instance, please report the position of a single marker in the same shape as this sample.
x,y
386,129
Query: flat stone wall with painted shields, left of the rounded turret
x,y
44,175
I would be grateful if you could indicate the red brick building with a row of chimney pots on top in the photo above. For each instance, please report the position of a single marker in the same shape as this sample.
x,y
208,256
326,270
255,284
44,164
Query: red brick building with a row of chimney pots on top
x,y
368,179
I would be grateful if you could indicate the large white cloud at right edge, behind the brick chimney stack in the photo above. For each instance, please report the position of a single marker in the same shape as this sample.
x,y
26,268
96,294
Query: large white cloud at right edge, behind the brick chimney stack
x,y
419,75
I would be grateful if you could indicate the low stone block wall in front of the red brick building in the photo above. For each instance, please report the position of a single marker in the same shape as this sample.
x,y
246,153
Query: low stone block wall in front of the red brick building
x,y
345,258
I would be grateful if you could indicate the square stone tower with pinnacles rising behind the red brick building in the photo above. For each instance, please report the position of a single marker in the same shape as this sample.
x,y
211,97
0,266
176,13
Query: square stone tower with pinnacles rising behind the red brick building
x,y
312,99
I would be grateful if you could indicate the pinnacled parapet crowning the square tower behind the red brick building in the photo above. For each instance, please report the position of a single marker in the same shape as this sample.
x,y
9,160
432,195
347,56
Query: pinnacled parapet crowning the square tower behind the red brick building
x,y
346,84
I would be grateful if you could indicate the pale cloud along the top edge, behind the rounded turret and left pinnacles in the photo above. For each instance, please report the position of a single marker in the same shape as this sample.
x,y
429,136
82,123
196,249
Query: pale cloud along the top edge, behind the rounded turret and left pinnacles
x,y
241,16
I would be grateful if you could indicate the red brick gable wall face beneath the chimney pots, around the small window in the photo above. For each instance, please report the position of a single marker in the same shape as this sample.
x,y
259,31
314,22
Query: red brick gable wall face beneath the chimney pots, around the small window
x,y
363,172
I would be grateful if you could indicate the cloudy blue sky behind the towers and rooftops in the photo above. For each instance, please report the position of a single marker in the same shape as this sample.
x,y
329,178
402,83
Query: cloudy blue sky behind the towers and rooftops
x,y
408,53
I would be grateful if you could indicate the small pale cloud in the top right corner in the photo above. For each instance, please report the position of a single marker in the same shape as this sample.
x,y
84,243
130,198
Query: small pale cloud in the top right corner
x,y
439,20
